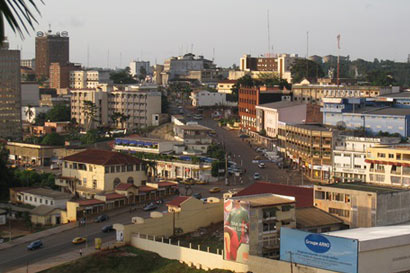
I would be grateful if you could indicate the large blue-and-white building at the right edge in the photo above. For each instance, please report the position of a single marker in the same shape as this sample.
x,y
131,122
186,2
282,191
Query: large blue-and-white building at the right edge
x,y
356,114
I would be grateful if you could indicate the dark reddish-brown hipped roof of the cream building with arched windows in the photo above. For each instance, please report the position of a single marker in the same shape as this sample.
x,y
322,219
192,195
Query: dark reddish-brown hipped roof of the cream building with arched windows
x,y
102,157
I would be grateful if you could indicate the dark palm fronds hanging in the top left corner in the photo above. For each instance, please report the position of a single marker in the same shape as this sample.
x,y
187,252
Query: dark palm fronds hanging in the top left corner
x,y
18,15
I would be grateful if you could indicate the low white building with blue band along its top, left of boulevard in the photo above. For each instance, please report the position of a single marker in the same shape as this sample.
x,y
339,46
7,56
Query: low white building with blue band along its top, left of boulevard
x,y
137,144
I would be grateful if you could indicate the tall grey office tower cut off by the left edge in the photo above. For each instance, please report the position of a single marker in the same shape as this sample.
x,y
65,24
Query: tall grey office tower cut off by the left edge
x,y
10,93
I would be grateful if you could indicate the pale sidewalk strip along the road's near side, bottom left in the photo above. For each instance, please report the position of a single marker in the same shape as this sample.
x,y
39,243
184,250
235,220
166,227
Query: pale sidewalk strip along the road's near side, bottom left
x,y
55,261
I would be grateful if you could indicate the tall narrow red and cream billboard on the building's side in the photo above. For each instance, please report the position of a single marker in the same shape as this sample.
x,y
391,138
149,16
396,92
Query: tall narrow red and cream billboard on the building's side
x,y
236,230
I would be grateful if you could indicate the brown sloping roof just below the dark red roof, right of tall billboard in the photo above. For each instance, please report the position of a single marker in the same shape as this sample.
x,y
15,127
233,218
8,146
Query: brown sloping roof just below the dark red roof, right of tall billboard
x,y
314,217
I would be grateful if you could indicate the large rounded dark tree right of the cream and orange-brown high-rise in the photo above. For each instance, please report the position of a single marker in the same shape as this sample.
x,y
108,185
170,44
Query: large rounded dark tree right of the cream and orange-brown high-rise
x,y
304,68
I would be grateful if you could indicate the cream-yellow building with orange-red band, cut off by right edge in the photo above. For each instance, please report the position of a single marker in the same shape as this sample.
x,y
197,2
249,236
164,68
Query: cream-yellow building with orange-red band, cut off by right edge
x,y
388,165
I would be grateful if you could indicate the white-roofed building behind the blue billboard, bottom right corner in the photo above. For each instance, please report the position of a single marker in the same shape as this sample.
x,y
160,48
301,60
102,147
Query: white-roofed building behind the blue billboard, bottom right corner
x,y
380,249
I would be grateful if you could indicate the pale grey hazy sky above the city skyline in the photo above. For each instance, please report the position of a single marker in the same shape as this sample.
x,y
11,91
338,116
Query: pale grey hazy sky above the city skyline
x,y
157,29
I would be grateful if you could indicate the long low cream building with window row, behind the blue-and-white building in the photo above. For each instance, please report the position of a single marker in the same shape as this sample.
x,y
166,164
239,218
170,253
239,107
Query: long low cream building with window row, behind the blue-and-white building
x,y
313,93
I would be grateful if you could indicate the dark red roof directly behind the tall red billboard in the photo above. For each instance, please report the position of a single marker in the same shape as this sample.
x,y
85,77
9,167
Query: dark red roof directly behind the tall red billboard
x,y
303,195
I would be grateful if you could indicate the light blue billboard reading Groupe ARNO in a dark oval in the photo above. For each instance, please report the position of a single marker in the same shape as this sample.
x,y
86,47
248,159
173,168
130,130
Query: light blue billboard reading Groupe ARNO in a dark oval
x,y
319,250
